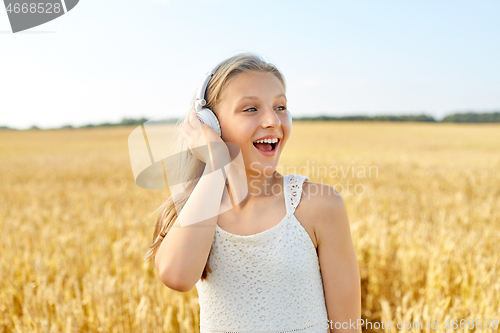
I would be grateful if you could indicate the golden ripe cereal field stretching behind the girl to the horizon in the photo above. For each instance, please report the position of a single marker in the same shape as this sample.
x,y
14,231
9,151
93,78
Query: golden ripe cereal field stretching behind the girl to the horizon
x,y
425,225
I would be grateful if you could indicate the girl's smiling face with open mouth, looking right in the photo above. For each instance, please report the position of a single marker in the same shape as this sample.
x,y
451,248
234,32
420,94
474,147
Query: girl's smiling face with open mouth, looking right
x,y
253,106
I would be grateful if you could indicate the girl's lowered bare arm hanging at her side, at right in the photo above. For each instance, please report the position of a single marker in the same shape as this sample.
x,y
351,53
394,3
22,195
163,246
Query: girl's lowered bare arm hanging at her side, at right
x,y
338,263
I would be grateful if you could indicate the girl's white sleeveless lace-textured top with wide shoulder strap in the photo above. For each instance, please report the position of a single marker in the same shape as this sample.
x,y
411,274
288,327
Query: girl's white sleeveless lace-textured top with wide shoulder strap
x,y
267,282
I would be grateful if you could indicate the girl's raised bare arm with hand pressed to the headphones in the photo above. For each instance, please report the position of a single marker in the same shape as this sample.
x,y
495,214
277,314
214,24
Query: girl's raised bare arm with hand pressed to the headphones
x,y
183,253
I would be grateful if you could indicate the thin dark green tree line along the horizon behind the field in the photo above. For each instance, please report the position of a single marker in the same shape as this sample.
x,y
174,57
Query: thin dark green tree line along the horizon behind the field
x,y
469,117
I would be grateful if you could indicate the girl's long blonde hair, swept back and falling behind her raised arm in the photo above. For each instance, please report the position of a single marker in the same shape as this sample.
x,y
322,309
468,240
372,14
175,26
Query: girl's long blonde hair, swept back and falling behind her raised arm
x,y
189,166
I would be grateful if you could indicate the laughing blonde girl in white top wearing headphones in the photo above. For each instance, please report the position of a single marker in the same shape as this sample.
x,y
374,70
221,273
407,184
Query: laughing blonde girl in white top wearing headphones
x,y
268,264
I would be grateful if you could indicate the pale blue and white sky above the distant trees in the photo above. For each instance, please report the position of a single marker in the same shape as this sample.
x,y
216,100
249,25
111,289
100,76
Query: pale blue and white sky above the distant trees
x,y
106,60
